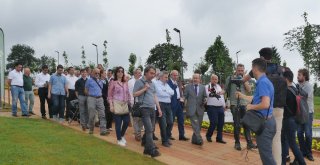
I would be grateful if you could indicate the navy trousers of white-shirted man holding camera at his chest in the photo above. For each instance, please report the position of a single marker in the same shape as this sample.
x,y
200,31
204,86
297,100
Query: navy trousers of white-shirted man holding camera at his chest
x,y
216,117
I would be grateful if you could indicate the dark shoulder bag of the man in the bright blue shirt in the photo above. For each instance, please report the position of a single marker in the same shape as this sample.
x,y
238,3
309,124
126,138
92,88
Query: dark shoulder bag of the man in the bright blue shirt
x,y
254,121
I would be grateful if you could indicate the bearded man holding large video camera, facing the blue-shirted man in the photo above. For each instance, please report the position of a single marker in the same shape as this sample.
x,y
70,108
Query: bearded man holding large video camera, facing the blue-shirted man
x,y
238,106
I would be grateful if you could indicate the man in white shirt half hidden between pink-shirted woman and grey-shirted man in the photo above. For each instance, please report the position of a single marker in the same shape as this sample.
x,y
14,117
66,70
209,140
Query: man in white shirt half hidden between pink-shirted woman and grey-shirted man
x,y
137,122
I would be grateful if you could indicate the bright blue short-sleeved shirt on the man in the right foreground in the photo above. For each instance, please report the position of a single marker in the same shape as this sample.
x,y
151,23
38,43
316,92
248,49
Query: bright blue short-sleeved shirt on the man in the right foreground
x,y
264,87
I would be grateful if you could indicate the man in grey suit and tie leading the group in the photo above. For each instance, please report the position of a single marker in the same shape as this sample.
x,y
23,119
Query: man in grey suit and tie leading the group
x,y
195,96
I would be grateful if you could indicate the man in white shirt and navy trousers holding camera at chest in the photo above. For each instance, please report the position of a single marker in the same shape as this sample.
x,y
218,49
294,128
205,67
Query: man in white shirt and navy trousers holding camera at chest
x,y
216,106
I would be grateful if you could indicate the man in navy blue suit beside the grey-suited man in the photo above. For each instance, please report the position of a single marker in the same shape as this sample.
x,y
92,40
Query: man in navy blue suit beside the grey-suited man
x,y
177,104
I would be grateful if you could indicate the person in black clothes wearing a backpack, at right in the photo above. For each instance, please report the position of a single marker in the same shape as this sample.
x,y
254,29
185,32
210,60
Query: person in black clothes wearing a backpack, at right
x,y
289,125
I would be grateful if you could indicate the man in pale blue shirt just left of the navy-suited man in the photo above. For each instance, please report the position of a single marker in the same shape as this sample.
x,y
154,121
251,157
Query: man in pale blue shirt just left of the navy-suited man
x,y
164,93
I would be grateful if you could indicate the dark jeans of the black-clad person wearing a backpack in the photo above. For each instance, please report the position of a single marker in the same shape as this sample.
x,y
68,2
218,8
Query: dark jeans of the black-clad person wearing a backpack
x,y
288,138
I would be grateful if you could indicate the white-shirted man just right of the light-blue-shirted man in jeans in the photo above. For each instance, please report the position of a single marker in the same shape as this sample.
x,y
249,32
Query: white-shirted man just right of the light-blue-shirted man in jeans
x,y
71,80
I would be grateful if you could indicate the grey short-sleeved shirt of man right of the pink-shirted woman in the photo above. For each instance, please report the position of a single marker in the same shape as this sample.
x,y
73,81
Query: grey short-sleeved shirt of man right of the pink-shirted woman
x,y
147,98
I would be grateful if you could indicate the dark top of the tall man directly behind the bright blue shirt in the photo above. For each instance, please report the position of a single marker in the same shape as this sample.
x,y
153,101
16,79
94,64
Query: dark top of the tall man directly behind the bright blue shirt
x,y
274,74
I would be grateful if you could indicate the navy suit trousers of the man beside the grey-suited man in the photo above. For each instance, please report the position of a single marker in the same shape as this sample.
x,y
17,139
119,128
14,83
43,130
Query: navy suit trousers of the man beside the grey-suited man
x,y
177,111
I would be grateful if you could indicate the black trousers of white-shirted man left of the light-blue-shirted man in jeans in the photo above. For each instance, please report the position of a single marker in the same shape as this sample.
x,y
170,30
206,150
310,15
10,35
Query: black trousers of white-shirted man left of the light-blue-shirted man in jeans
x,y
43,96
